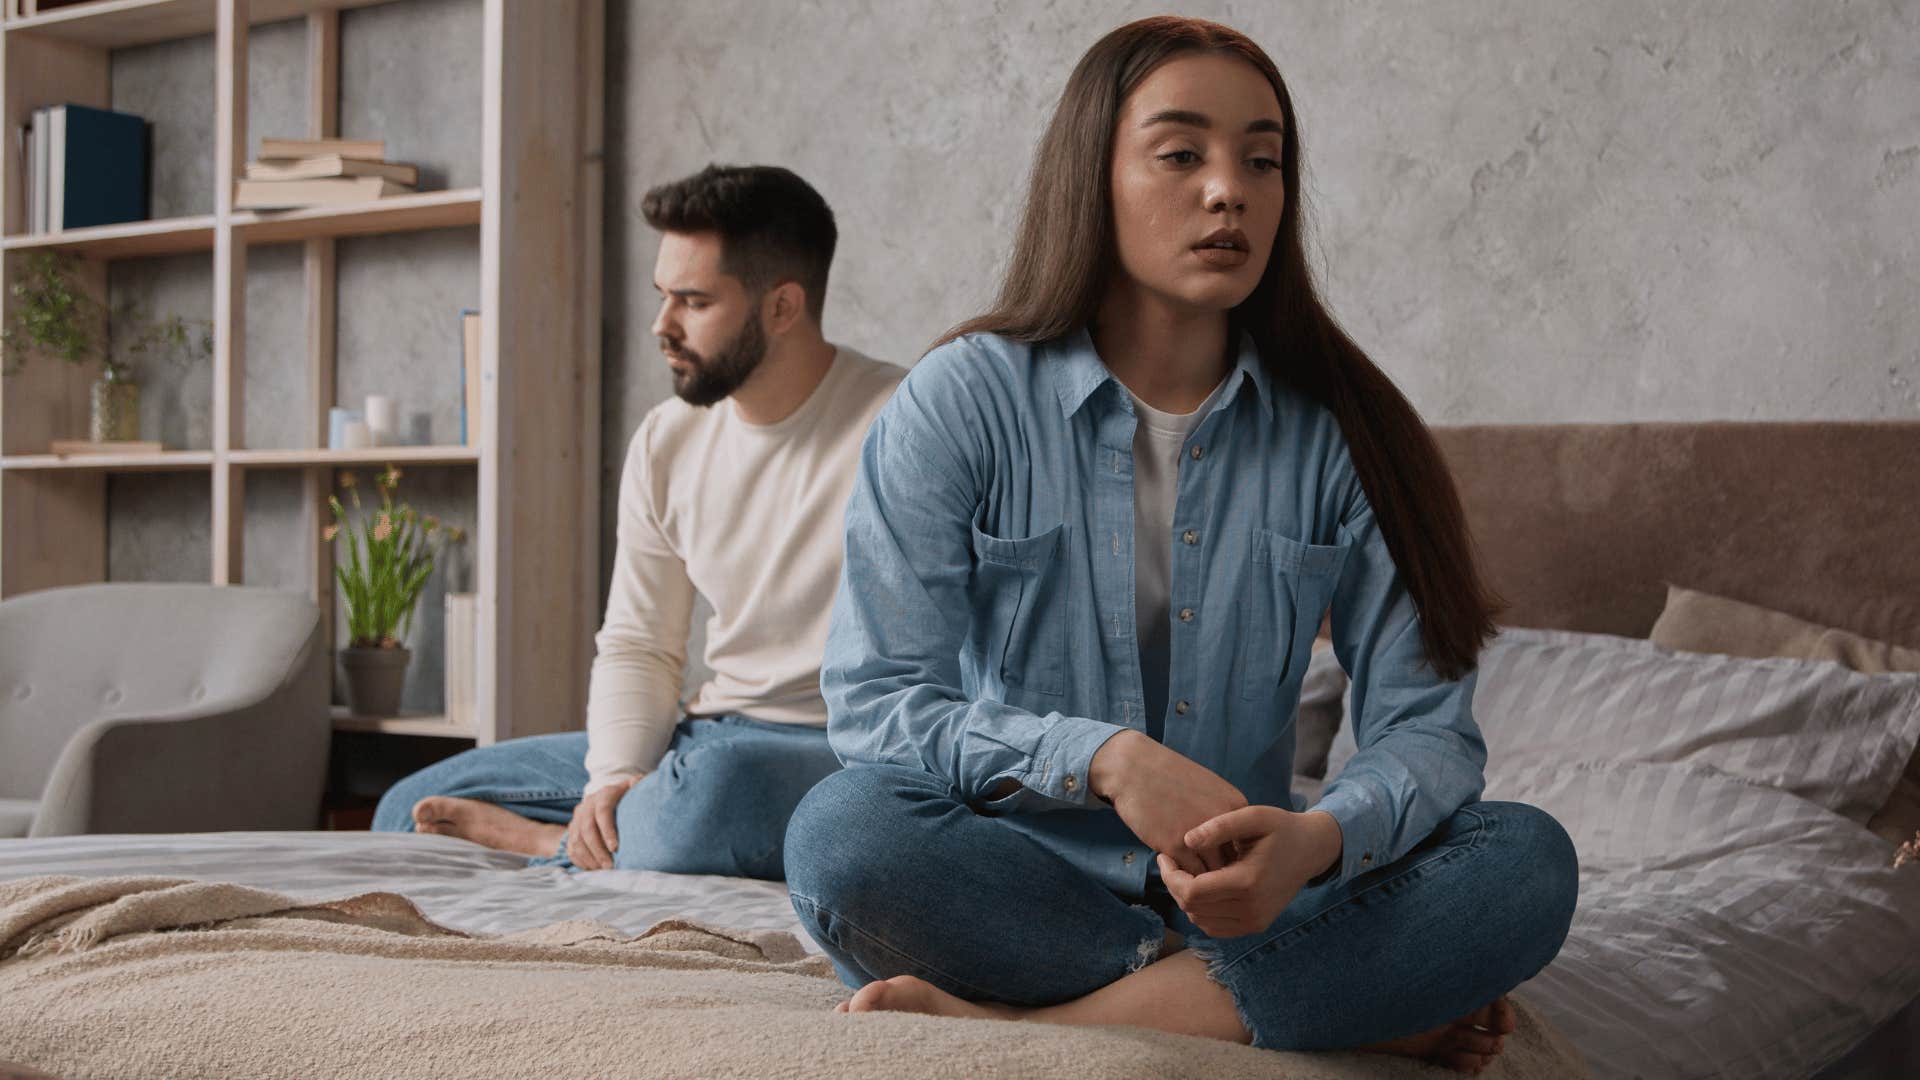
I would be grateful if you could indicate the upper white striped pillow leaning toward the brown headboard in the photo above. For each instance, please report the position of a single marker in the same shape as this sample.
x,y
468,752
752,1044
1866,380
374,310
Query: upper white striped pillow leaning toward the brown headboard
x,y
1829,735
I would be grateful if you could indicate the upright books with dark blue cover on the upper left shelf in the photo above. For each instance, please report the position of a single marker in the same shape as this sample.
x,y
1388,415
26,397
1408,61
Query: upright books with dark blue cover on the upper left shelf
x,y
84,166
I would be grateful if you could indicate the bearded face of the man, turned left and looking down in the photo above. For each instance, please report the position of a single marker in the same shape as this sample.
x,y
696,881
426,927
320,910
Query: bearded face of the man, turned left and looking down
x,y
709,326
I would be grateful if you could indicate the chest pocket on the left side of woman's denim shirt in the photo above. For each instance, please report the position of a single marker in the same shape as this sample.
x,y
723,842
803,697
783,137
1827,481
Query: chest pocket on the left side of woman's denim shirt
x,y
1020,608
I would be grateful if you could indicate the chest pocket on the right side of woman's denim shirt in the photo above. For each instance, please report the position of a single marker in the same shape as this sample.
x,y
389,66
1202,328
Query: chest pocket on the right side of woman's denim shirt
x,y
1289,589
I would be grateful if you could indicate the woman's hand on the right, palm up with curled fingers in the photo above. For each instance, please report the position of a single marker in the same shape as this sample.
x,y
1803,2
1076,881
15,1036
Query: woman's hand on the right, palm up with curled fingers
x,y
1278,852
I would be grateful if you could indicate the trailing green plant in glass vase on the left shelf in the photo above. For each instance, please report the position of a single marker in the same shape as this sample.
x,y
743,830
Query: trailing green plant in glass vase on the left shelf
x,y
57,318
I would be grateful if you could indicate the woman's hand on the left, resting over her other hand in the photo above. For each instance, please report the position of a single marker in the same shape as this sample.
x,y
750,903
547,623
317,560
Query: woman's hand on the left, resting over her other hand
x,y
1163,795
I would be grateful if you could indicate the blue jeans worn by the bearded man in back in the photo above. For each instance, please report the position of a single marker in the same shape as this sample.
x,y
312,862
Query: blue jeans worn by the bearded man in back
x,y
717,804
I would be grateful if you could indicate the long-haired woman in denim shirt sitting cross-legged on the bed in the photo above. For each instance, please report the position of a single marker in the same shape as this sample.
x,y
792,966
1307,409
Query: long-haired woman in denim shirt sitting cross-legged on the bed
x,y
1088,551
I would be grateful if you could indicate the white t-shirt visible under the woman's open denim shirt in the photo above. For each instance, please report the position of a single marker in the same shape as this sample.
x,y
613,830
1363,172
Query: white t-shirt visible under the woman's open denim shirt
x,y
1159,443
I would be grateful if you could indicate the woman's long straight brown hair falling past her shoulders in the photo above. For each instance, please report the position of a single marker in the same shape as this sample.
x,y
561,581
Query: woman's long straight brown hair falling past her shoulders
x,y
1061,270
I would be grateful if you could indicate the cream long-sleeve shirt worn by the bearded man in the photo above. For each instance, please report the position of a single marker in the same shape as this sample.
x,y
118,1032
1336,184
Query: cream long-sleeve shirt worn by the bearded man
x,y
752,518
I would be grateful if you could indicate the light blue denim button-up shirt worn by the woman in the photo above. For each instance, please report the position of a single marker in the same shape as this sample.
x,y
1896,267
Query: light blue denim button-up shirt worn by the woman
x,y
984,626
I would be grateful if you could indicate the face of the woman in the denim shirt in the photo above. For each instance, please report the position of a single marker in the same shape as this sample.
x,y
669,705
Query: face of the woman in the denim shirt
x,y
1197,182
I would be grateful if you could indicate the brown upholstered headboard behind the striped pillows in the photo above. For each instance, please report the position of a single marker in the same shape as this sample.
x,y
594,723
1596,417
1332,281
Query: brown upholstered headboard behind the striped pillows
x,y
1581,526
